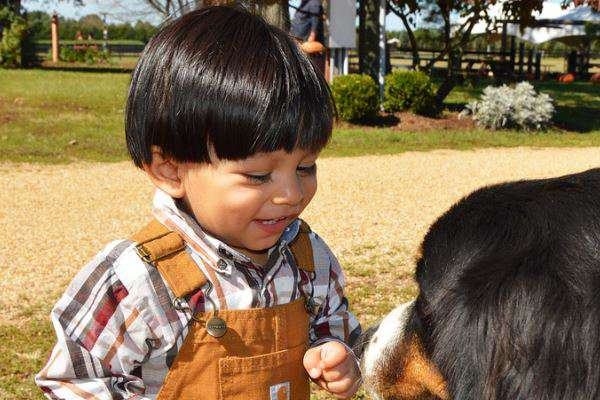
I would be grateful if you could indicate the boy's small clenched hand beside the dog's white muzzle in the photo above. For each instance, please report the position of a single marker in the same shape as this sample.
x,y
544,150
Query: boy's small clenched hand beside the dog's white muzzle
x,y
332,367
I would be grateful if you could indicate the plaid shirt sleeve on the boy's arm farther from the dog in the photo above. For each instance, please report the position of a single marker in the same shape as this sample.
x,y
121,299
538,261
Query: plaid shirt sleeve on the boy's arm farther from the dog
x,y
101,338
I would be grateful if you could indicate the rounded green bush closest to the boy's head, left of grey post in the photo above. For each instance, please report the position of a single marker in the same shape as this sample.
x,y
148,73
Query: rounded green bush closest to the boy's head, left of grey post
x,y
356,97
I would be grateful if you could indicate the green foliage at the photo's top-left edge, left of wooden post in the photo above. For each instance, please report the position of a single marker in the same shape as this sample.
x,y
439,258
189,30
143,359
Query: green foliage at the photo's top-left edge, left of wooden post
x,y
14,33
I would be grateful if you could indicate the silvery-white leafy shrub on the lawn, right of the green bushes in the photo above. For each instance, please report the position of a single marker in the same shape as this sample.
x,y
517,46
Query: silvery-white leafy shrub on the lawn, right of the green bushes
x,y
505,107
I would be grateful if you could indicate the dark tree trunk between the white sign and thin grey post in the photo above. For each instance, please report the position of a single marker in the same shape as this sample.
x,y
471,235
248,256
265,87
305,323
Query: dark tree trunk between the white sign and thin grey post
x,y
368,45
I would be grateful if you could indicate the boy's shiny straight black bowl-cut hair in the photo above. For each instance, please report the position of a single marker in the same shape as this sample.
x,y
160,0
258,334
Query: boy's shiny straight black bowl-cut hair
x,y
222,77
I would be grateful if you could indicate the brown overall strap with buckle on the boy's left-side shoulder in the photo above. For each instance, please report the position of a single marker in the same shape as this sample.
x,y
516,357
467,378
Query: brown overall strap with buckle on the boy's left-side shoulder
x,y
165,249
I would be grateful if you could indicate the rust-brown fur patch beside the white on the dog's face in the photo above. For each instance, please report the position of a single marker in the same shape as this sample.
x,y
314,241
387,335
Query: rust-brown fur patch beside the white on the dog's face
x,y
419,378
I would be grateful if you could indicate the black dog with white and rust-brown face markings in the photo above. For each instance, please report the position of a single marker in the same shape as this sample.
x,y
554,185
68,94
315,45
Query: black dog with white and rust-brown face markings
x,y
509,300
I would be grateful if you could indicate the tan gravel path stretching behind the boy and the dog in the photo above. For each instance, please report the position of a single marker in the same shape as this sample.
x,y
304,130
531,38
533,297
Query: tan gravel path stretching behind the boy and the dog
x,y
55,218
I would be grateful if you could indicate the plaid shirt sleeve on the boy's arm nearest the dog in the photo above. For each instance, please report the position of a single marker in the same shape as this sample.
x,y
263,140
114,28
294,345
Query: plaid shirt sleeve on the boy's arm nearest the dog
x,y
333,320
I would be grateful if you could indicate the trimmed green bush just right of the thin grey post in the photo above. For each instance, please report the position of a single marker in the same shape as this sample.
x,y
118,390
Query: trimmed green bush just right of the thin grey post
x,y
409,90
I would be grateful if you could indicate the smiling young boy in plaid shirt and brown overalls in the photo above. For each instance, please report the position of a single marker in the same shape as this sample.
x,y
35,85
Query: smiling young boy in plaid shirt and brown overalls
x,y
227,294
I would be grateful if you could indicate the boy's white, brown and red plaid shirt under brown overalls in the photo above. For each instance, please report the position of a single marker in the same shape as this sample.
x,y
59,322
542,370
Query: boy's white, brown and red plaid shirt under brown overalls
x,y
118,332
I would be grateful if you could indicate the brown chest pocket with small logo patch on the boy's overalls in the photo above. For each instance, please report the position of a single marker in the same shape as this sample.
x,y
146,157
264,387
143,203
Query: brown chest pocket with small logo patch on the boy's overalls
x,y
273,376
